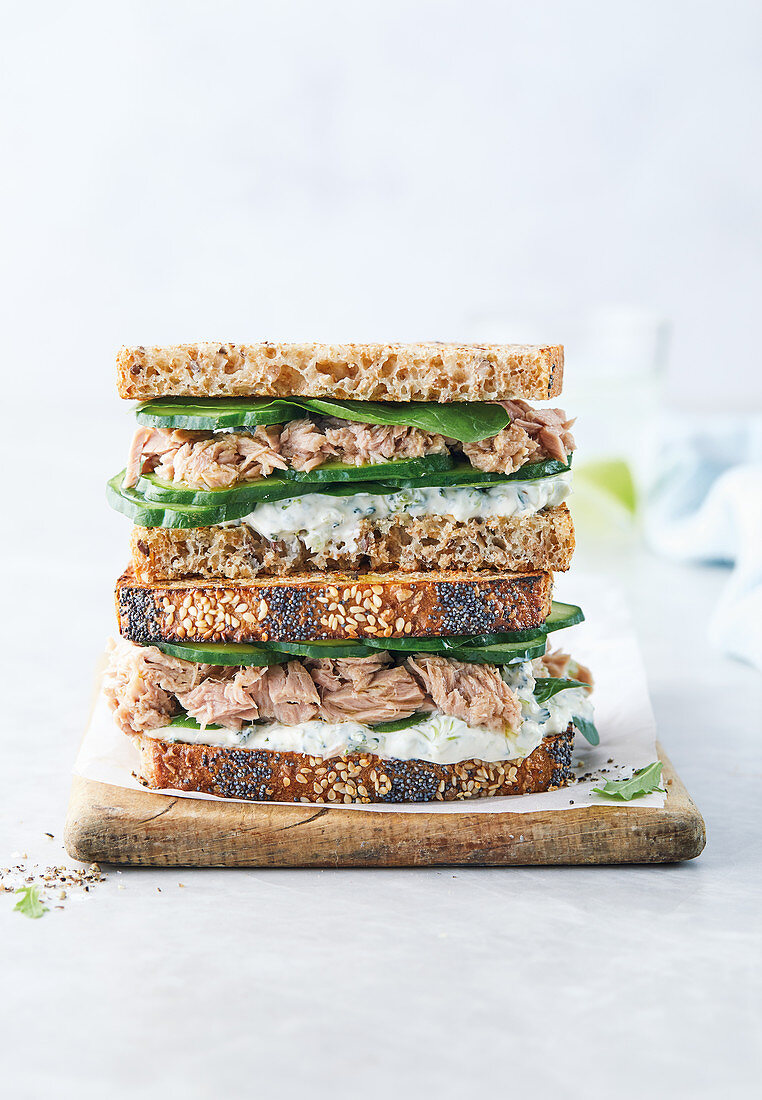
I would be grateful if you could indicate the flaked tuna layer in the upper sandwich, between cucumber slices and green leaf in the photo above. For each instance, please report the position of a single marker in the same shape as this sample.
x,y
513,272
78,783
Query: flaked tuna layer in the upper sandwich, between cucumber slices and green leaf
x,y
218,460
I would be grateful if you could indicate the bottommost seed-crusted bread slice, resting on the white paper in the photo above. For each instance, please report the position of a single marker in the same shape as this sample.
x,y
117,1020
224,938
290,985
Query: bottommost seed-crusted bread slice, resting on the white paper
x,y
263,776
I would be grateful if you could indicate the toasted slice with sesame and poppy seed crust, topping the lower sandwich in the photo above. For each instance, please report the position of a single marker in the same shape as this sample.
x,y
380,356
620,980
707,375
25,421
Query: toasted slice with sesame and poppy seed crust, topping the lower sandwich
x,y
333,606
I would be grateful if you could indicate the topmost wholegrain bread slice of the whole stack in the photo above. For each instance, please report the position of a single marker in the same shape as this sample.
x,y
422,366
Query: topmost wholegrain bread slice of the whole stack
x,y
423,372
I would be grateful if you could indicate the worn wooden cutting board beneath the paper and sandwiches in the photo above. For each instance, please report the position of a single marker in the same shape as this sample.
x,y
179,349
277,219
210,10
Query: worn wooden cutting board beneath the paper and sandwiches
x,y
112,824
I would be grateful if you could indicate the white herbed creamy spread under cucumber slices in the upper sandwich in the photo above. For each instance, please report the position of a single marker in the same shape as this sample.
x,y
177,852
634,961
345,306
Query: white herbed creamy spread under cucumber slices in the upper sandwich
x,y
323,521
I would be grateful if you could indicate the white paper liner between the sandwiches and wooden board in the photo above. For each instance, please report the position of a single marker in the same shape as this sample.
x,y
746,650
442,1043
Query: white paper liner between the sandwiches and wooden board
x,y
623,713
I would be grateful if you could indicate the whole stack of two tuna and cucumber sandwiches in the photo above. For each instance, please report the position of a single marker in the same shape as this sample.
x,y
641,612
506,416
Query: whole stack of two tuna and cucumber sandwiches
x,y
341,577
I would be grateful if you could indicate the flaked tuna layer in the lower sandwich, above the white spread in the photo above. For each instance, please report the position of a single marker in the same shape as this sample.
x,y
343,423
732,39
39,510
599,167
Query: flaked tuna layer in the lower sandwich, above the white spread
x,y
146,688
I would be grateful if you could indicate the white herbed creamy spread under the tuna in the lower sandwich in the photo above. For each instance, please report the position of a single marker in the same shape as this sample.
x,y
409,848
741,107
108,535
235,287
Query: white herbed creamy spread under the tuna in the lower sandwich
x,y
437,738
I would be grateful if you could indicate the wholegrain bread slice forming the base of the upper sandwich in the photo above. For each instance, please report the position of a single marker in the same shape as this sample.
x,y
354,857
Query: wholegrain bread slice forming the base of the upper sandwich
x,y
406,544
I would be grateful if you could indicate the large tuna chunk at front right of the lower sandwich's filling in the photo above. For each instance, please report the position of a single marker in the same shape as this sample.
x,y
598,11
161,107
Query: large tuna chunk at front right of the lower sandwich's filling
x,y
477,694
